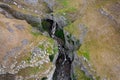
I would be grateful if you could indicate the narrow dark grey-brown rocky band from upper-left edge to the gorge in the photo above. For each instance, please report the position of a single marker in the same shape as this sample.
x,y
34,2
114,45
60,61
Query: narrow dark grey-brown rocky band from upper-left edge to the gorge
x,y
33,20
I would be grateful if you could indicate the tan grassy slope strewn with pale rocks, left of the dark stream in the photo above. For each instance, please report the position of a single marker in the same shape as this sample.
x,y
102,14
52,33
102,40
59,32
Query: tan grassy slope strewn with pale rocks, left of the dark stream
x,y
25,54
